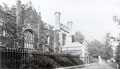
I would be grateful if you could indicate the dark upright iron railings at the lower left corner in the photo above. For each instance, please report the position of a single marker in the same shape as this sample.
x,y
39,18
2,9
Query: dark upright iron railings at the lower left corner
x,y
12,58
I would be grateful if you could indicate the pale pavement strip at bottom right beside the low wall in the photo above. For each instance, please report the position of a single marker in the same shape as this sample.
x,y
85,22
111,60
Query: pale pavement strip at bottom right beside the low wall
x,y
100,66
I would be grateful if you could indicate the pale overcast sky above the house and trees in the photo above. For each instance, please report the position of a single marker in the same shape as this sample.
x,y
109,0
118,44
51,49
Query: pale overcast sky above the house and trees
x,y
93,18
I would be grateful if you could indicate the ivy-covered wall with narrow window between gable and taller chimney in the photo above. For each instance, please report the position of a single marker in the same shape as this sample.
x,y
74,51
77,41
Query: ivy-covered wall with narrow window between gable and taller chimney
x,y
47,37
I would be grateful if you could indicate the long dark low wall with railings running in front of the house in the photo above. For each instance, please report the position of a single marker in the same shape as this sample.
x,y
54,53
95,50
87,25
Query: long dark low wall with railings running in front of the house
x,y
12,58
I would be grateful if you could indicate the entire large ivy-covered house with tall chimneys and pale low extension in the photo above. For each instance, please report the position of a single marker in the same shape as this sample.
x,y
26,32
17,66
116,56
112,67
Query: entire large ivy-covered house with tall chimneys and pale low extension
x,y
39,35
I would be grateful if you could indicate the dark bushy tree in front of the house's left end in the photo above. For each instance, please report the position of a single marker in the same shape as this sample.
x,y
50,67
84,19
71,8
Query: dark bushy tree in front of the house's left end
x,y
11,38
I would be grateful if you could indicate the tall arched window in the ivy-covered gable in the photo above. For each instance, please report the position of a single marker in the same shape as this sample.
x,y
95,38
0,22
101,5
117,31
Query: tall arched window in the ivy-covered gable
x,y
28,39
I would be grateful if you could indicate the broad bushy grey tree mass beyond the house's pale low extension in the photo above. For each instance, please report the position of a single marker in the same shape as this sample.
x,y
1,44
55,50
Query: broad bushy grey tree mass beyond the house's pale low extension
x,y
96,48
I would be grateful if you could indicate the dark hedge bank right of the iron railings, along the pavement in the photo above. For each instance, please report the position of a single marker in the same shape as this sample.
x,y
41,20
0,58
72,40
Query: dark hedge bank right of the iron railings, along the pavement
x,y
53,61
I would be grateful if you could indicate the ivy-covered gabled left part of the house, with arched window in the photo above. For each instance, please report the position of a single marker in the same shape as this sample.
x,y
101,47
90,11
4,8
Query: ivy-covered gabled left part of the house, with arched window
x,y
29,20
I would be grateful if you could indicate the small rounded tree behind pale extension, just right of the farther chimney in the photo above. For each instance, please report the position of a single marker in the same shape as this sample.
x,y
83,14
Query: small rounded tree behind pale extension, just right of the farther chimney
x,y
78,37
